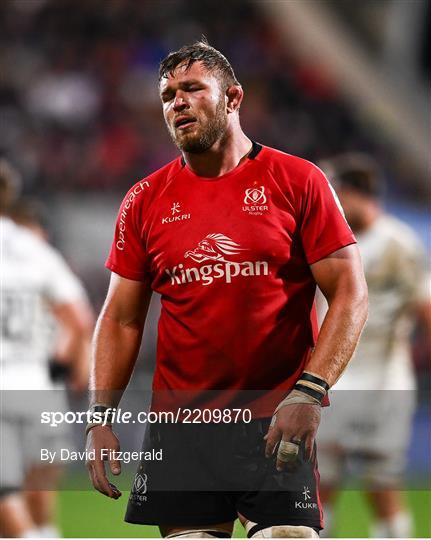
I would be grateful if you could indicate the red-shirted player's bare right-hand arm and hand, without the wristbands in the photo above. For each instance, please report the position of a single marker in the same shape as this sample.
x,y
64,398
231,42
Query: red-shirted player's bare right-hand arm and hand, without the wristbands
x,y
341,279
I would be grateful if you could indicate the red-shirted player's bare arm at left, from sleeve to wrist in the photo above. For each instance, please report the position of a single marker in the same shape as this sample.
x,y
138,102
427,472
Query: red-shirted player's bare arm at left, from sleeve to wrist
x,y
117,338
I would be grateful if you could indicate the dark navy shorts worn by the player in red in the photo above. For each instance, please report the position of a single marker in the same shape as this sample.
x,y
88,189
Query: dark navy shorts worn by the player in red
x,y
210,472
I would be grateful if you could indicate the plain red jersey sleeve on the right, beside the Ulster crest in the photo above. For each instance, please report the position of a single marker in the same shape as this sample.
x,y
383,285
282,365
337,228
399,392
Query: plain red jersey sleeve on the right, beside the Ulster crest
x,y
324,228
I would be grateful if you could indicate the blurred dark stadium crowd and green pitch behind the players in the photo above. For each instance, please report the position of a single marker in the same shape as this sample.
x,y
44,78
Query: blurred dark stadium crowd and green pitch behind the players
x,y
81,120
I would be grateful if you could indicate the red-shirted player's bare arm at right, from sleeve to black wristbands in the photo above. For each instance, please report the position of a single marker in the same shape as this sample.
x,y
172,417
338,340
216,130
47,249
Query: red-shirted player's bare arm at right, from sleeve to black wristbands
x,y
340,278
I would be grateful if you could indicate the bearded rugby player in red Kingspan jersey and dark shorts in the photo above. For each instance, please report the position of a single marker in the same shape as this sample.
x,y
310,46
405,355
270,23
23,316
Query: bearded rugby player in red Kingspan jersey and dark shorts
x,y
234,236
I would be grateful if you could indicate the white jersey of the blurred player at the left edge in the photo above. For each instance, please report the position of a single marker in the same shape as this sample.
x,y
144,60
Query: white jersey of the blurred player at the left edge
x,y
34,278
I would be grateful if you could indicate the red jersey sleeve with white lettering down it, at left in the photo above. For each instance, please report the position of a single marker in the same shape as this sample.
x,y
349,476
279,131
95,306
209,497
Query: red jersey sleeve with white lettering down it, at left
x,y
128,256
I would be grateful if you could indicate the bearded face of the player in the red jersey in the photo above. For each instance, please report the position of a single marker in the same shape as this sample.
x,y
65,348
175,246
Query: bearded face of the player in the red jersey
x,y
194,108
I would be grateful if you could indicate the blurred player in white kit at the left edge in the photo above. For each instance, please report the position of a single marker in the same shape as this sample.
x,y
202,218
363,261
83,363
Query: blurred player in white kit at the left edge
x,y
45,315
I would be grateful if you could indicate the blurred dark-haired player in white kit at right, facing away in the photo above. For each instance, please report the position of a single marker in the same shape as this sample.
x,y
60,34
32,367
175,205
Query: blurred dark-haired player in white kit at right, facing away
x,y
373,423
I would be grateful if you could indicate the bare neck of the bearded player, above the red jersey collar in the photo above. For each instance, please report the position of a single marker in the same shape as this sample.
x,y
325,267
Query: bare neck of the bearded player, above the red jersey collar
x,y
222,157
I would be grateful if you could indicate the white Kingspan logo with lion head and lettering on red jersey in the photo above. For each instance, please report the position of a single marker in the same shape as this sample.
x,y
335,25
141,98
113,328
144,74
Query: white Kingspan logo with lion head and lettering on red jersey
x,y
218,250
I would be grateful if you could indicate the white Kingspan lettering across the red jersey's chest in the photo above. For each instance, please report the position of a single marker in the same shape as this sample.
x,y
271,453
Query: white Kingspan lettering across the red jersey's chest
x,y
207,273
